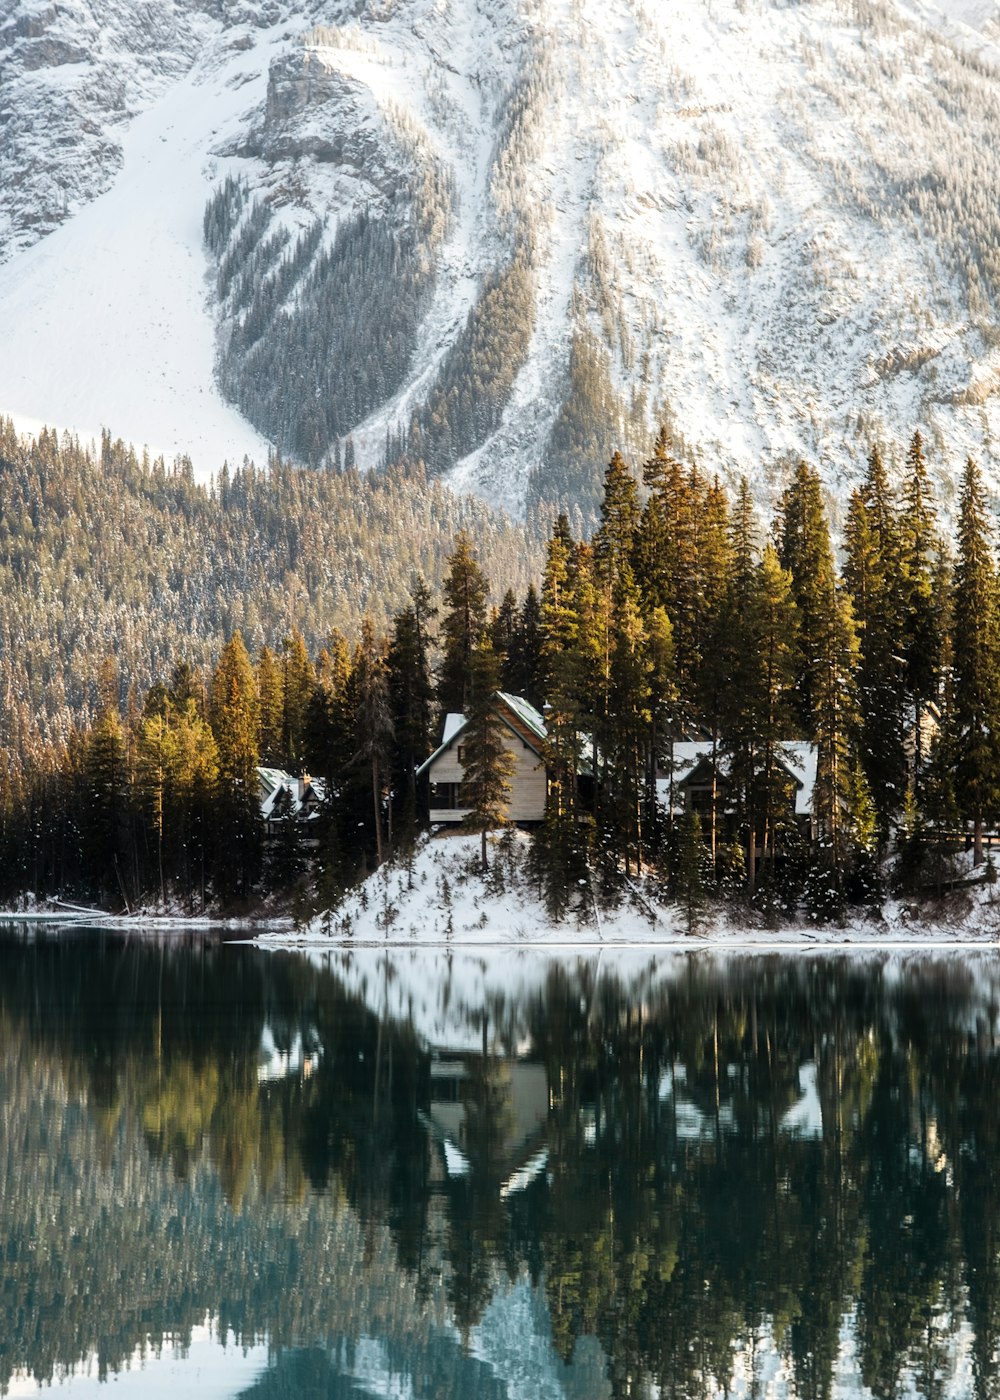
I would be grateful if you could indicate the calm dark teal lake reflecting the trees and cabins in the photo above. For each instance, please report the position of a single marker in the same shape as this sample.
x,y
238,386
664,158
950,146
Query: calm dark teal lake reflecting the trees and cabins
x,y
226,1172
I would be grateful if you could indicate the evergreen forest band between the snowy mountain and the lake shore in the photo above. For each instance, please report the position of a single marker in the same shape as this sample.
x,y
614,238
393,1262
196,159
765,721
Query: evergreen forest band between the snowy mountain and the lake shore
x,y
679,619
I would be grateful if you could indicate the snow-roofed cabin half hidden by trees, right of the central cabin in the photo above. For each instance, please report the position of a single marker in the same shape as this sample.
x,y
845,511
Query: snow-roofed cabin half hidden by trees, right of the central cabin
x,y
690,789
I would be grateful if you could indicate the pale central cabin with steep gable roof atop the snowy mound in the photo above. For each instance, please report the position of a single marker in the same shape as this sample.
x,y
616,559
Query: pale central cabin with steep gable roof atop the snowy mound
x,y
525,737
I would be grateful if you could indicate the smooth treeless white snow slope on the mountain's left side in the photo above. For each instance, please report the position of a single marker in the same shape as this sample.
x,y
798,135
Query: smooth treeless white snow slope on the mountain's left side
x,y
106,320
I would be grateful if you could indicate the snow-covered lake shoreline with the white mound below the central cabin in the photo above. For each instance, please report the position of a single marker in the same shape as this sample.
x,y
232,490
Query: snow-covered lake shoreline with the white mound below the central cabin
x,y
438,901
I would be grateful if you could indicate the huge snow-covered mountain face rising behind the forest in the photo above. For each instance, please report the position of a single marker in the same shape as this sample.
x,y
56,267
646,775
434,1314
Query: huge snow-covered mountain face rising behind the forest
x,y
506,236
